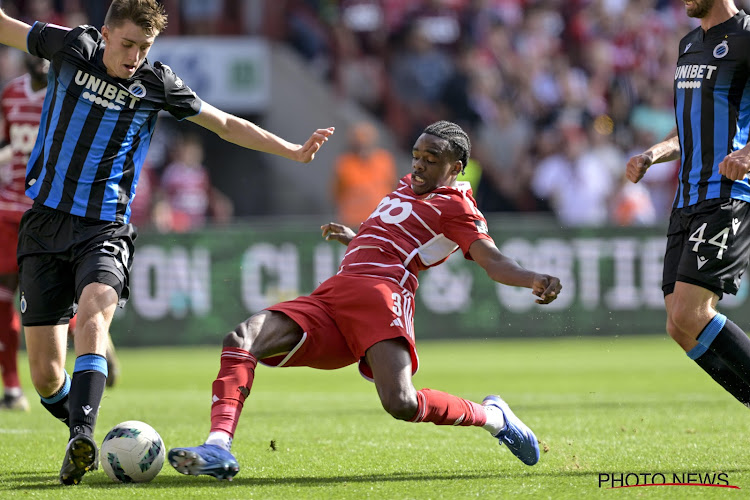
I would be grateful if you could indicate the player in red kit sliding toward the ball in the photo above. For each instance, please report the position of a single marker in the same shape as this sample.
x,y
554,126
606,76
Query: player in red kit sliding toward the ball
x,y
365,312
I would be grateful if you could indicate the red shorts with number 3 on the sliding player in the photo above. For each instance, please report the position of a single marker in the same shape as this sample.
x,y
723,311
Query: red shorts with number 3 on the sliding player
x,y
345,316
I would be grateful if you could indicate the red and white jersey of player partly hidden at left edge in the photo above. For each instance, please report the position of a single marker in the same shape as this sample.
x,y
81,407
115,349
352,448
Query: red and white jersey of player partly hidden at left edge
x,y
21,108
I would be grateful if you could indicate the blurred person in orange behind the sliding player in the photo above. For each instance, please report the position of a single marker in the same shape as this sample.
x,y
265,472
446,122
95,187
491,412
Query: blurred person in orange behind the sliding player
x,y
363,175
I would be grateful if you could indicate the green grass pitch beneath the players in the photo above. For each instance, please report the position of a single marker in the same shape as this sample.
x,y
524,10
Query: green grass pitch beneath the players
x,y
599,405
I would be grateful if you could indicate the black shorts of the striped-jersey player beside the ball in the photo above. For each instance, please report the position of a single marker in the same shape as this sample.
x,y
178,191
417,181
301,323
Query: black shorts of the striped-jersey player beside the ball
x,y
59,254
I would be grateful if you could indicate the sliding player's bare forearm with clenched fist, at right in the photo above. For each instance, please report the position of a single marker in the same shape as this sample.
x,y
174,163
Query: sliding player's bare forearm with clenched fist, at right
x,y
508,272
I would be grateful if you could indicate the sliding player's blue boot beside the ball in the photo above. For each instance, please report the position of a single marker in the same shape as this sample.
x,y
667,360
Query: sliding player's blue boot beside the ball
x,y
204,459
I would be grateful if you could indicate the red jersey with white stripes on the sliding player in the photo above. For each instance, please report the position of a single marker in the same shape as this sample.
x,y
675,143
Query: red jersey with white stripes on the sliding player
x,y
408,232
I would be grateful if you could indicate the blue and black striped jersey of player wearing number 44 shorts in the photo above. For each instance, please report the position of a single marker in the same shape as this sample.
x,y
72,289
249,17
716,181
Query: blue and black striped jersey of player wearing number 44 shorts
x,y
712,109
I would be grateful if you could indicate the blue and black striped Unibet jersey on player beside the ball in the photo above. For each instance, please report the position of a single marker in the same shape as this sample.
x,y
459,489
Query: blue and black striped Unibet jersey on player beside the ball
x,y
95,129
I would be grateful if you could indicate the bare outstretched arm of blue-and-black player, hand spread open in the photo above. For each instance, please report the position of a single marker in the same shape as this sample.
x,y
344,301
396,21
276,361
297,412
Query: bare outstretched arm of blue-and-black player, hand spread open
x,y
248,135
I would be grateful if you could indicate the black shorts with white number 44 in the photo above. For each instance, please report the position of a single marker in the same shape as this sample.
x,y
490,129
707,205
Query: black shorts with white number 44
x,y
708,244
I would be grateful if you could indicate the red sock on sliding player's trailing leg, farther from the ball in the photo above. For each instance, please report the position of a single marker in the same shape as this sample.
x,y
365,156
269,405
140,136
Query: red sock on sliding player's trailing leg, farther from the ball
x,y
442,408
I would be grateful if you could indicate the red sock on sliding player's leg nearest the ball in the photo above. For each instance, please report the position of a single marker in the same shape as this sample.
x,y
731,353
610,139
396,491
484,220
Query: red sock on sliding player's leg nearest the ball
x,y
231,387
